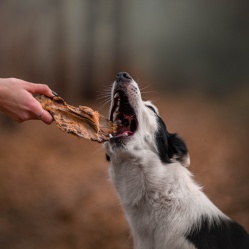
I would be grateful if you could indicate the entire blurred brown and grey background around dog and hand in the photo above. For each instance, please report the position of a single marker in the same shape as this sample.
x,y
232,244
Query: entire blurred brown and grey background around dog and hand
x,y
190,57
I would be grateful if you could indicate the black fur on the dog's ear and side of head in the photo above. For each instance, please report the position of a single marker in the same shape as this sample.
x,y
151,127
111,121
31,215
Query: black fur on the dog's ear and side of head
x,y
169,145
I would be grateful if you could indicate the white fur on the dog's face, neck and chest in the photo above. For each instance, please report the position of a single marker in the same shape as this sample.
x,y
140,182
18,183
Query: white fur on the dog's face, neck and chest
x,y
161,201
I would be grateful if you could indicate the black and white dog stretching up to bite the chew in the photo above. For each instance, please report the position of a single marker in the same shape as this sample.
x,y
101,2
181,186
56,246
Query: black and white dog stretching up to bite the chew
x,y
165,208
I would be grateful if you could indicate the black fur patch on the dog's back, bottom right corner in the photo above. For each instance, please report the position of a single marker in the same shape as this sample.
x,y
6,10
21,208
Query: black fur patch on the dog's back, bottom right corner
x,y
221,234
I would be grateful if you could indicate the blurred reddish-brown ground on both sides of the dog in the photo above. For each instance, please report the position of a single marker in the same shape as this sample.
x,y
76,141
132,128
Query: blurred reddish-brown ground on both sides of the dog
x,y
55,191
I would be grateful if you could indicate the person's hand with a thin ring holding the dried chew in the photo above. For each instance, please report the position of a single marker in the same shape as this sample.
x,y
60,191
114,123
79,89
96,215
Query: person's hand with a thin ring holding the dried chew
x,y
17,101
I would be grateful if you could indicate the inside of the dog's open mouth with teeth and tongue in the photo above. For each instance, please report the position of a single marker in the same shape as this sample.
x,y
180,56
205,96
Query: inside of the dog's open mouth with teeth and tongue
x,y
123,115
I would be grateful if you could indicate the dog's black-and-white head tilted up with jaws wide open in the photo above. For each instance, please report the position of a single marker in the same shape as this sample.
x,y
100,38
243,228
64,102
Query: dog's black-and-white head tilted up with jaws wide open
x,y
139,125
